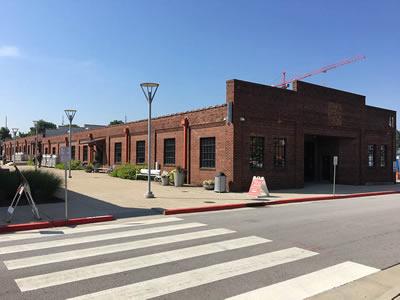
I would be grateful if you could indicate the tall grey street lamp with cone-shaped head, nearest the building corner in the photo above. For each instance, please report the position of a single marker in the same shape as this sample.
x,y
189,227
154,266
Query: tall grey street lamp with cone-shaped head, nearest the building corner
x,y
149,90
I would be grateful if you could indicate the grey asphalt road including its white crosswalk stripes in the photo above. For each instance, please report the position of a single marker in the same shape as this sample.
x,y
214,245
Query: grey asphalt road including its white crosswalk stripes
x,y
283,252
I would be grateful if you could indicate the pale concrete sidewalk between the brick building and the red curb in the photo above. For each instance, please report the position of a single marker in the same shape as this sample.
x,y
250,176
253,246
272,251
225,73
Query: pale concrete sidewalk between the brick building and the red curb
x,y
93,194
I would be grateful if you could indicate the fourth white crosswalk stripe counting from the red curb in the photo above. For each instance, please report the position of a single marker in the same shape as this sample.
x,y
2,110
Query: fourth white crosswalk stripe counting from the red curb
x,y
93,271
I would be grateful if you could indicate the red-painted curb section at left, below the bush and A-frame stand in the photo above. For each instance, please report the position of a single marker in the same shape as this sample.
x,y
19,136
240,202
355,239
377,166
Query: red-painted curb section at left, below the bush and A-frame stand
x,y
55,223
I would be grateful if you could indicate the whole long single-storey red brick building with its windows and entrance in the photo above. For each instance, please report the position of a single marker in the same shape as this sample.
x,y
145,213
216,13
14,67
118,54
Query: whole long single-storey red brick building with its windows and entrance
x,y
288,136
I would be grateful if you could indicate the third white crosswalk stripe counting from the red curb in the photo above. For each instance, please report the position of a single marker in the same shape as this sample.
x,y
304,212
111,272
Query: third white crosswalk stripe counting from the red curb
x,y
95,251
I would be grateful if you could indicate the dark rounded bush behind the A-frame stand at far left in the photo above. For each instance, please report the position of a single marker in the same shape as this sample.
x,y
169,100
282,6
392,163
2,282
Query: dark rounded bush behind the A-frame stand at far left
x,y
43,185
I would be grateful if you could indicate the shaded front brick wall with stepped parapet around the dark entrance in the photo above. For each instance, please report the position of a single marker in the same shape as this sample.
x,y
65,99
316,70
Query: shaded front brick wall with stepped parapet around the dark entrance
x,y
261,110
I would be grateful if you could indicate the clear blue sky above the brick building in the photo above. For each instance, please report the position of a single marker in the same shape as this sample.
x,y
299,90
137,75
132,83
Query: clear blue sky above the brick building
x,y
92,55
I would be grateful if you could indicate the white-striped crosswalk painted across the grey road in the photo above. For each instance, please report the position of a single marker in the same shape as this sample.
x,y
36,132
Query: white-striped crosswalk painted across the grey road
x,y
48,261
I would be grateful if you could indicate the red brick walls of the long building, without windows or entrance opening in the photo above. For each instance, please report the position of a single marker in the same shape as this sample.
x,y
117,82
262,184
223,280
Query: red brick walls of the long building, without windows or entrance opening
x,y
342,118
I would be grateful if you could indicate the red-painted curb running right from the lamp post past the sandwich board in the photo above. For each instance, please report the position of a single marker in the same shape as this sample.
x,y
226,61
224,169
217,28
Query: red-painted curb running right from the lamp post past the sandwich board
x,y
174,211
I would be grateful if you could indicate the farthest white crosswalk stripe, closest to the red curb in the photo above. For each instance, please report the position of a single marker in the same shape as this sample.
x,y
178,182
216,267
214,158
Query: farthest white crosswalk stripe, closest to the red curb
x,y
61,231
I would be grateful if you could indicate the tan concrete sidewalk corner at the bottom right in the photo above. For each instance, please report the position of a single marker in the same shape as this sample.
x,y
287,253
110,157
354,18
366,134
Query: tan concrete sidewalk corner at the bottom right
x,y
384,285
